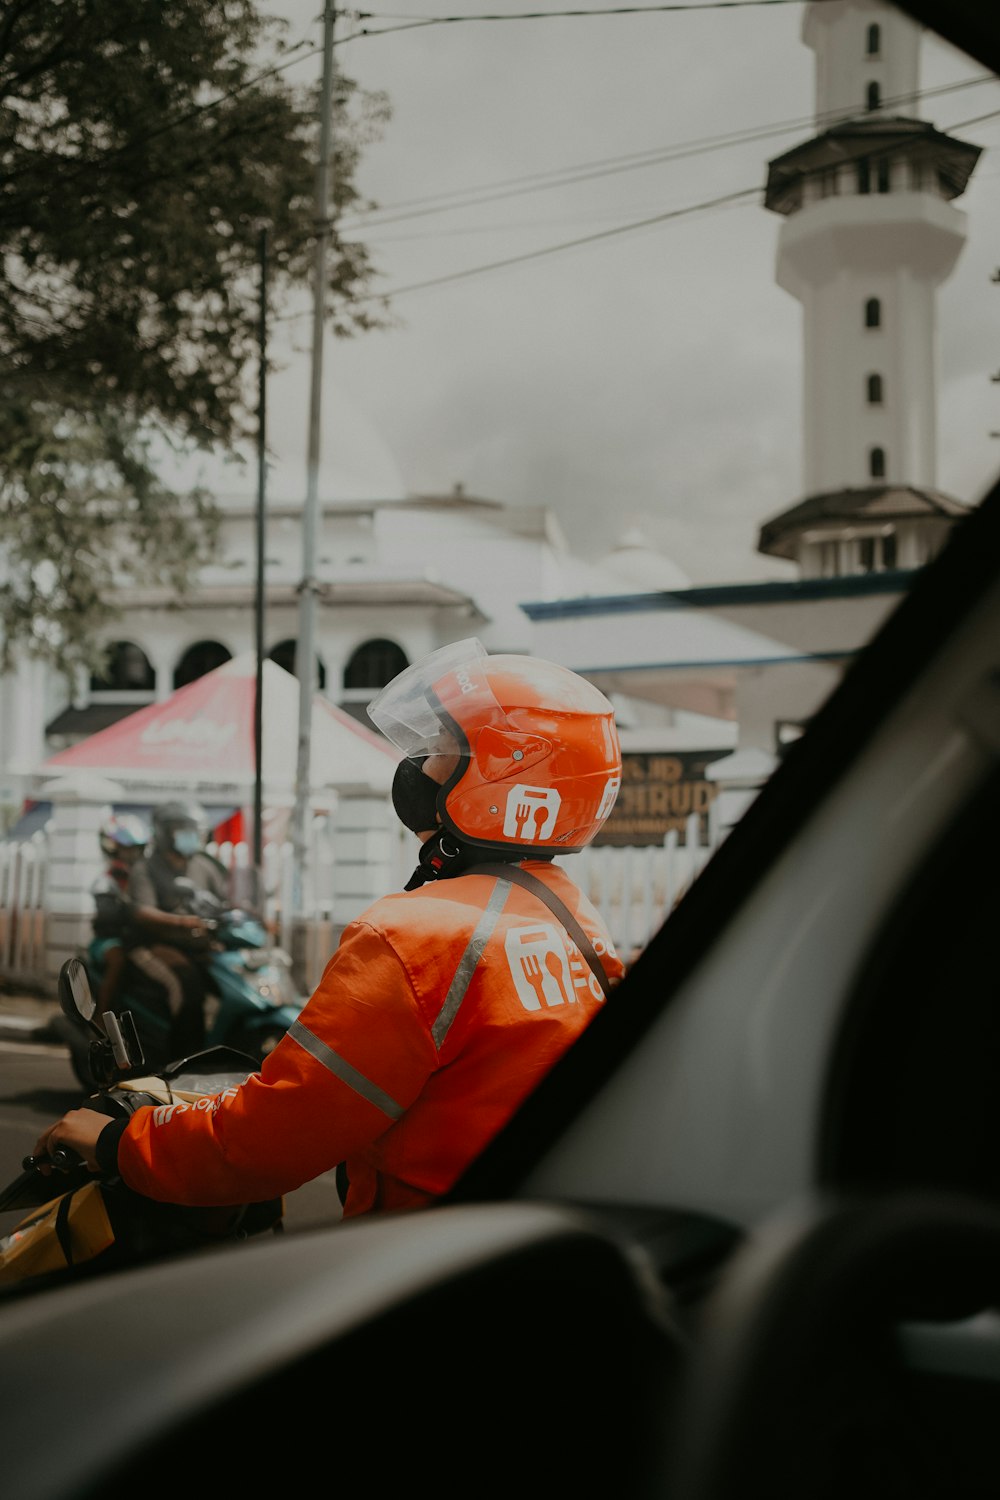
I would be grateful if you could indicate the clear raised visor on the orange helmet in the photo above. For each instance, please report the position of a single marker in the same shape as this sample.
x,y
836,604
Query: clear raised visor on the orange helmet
x,y
412,710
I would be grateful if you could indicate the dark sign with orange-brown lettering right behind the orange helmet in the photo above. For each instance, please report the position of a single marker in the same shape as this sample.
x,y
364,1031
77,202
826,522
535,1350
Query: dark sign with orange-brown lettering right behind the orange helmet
x,y
659,793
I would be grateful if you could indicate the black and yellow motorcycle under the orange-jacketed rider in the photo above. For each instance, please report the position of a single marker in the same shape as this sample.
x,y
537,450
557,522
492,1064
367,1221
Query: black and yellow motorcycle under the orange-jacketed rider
x,y
82,1225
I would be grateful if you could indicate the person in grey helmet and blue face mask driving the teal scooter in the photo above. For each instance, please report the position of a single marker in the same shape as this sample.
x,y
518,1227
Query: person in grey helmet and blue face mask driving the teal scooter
x,y
173,935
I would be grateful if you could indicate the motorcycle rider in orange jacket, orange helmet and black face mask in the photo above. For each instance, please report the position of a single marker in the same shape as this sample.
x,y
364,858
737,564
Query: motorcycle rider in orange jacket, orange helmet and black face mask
x,y
445,1004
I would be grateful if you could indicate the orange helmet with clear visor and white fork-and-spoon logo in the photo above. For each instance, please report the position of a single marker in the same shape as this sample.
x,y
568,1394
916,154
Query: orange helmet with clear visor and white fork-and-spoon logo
x,y
539,761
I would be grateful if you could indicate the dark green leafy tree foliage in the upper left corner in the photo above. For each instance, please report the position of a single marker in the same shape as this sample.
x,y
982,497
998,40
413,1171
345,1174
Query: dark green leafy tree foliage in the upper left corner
x,y
142,148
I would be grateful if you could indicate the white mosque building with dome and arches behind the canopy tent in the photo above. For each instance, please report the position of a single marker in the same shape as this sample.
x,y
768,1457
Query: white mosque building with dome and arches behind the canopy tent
x,y
398,577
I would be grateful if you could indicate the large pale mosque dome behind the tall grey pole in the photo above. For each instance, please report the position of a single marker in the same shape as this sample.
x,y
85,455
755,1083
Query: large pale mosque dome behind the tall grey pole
x,y
356,464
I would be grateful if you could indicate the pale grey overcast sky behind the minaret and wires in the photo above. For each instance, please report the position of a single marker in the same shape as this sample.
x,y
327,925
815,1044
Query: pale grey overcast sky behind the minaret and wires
x,y
650,377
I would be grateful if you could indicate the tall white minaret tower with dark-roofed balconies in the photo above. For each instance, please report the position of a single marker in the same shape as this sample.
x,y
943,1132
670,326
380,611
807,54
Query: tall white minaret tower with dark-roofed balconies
x,y
869,235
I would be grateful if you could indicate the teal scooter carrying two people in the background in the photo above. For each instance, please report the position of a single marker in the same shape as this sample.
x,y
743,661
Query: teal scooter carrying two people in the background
x,y
251,1003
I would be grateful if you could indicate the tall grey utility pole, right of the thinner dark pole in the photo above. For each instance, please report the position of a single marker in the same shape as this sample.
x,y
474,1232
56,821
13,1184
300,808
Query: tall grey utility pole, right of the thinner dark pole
x,y
310,587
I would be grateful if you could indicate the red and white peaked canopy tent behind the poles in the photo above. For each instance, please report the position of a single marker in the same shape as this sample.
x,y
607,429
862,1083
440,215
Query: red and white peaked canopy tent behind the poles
x,y
200,743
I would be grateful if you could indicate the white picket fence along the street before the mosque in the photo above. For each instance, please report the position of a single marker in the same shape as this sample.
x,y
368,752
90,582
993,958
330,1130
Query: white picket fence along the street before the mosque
x,y
633,889
